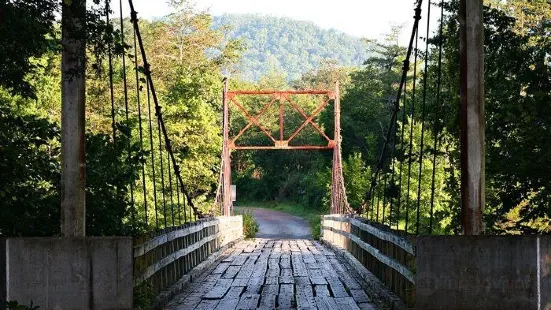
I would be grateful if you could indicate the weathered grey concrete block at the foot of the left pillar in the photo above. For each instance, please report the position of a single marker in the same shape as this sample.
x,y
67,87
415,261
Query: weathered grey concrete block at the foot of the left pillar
x,y
68,273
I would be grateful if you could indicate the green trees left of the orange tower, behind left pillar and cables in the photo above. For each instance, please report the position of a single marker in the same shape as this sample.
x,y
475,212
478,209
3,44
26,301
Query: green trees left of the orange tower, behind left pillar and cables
x,y
189,84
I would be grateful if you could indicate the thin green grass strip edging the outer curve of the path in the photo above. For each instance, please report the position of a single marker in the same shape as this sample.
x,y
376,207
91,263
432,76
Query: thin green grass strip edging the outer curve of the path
x,y
313,217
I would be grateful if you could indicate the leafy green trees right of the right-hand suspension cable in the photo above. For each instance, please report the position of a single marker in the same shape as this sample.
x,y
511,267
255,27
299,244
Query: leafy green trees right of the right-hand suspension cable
x,y
517,96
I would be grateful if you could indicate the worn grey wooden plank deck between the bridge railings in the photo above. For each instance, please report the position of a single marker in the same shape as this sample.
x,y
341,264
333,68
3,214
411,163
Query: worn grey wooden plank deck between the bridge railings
x,y
270,274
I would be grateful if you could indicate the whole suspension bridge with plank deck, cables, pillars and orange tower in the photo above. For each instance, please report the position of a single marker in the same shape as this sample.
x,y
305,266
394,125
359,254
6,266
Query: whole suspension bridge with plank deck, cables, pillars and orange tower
x,y
385,254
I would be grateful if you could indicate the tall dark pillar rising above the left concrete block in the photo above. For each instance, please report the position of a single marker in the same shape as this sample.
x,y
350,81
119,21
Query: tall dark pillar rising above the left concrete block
x,y
73,164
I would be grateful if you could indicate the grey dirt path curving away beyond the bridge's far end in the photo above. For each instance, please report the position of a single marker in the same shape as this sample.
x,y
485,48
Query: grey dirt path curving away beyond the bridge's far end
x,y
279,225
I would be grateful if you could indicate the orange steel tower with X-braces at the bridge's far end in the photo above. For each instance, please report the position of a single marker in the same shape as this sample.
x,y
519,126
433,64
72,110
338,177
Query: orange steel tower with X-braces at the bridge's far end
x,y
339,203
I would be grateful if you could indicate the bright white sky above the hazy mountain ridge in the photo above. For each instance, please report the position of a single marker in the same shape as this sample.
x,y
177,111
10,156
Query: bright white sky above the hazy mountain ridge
x,y
362,18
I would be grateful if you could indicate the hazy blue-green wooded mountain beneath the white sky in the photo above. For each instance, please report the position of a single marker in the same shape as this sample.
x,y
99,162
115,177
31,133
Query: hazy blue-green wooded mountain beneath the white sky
x,y
288,45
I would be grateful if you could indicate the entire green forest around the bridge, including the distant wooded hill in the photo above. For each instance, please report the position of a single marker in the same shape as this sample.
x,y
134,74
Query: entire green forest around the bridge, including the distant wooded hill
x,y
190,53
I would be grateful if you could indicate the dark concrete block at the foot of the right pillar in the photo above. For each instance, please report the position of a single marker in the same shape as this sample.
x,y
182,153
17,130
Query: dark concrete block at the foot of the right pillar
x,y
483,272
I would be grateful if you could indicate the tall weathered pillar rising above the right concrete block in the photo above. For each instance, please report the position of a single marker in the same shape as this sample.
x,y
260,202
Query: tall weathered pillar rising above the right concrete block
x,y
472,116
